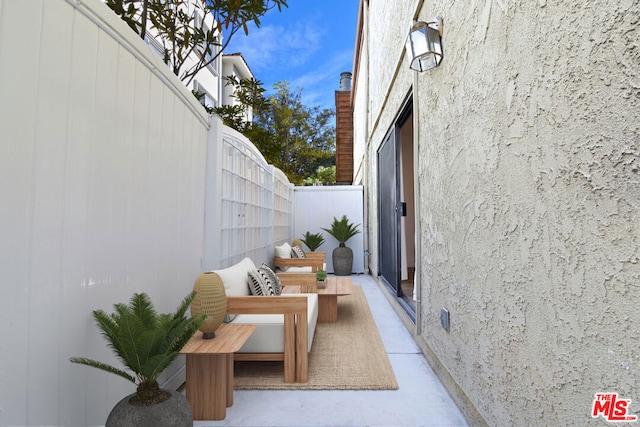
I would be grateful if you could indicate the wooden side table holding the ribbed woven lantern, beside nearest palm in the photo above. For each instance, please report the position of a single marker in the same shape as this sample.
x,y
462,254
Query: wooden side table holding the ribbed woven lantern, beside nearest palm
x,y
210,370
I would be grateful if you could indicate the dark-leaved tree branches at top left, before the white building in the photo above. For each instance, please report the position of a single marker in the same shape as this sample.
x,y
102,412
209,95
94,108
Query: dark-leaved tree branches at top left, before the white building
x,y
192,28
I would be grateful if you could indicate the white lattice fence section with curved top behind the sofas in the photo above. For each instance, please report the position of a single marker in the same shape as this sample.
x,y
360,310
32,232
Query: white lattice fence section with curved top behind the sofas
x,y
251,201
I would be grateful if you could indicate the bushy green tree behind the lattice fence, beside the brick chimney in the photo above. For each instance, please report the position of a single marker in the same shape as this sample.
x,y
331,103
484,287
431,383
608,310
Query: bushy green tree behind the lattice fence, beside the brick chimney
x,y
293,137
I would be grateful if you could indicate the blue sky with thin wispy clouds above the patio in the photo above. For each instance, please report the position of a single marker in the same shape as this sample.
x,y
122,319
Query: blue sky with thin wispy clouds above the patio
x,y
308,44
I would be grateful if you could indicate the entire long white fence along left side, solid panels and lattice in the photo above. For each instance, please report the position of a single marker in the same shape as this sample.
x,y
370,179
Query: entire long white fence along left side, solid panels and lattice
x,y
112,182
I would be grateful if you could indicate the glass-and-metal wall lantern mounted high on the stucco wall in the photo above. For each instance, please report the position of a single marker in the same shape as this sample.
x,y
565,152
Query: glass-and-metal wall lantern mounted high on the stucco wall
x,y
424,45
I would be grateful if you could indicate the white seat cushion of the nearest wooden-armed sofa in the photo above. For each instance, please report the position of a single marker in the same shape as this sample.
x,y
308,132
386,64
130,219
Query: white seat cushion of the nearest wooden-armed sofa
x,y
269,334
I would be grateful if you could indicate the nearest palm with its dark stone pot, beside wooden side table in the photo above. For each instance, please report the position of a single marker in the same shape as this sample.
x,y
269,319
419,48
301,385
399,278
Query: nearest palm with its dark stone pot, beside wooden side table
x,y
146,343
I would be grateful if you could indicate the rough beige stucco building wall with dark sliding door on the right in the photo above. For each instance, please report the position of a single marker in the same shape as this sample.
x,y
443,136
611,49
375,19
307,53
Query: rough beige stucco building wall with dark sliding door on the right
x,y
516,162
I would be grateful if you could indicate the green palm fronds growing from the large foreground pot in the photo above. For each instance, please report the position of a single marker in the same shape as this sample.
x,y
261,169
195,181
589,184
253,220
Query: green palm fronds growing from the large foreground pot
x,y
145,342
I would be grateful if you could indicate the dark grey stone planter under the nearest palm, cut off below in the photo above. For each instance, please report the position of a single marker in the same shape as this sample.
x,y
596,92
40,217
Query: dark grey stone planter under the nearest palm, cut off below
x,y
173,412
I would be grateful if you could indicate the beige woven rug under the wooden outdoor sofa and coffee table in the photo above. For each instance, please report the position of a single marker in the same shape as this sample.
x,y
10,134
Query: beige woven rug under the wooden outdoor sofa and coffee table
x,y
346,355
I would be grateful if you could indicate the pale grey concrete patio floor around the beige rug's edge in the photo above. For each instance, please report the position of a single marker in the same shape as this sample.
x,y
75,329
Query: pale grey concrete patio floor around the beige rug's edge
x,y
421,399
